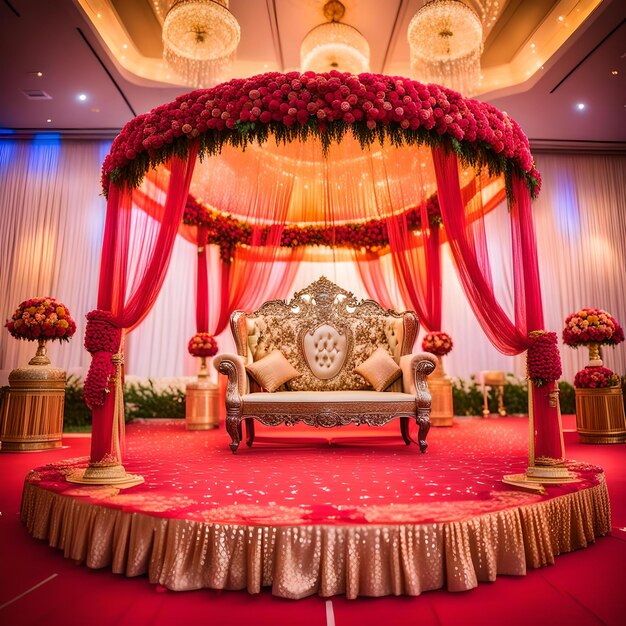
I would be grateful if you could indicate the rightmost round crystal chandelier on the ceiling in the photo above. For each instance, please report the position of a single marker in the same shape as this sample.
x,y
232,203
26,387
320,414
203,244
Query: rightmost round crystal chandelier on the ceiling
x,y
446,41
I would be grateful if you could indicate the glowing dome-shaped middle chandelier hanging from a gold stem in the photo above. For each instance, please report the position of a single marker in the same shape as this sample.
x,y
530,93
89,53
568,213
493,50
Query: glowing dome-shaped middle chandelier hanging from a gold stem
x,y
334,45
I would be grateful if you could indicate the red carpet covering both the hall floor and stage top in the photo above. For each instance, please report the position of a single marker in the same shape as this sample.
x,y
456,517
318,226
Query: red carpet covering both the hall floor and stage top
x,y
582,588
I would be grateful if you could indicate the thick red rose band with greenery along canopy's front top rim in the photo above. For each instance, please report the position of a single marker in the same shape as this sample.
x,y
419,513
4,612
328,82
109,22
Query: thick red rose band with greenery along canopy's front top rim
x,y
294,106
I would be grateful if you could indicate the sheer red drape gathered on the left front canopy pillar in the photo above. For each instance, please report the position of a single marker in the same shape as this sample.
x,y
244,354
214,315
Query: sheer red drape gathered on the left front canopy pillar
x,y
130,306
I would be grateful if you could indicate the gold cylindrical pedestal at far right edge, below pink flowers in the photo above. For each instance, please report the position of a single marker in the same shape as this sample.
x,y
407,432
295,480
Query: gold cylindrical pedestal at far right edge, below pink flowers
x,y
600,415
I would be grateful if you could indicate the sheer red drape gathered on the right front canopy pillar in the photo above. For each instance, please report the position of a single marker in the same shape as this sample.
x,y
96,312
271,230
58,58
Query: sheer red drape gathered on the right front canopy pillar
x,y
468,247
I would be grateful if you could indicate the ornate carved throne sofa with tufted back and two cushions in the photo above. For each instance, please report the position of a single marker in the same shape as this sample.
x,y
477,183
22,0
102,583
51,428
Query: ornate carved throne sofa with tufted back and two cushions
x,y
326,359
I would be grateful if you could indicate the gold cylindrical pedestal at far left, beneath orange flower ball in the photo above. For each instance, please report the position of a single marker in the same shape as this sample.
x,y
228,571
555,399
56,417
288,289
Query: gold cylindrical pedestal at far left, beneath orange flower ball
x,y
31,415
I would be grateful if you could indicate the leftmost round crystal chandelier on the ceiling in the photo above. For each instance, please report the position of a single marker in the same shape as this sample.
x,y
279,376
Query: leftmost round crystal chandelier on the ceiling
x,y
199,41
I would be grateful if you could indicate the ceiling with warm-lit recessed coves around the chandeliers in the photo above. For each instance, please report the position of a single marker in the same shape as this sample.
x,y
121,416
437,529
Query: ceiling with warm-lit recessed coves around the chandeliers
x,y
57,39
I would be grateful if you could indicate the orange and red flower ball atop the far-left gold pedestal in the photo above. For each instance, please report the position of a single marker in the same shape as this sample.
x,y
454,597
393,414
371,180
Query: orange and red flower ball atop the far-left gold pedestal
x,y
41,318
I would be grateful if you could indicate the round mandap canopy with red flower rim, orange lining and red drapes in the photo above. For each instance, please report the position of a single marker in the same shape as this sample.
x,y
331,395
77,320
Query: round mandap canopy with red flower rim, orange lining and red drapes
x,y
269,166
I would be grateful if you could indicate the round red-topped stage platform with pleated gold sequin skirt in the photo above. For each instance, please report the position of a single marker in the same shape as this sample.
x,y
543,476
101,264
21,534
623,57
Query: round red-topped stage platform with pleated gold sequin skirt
x,y
304,511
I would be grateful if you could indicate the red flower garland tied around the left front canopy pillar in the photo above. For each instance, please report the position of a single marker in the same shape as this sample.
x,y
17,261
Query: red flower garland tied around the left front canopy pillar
x,y
102,341
